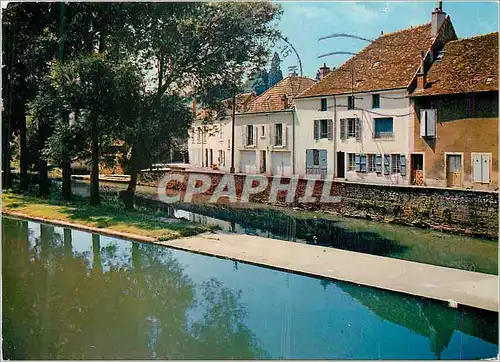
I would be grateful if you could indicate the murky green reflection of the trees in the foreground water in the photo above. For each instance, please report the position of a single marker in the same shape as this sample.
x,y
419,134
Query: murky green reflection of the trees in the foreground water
x,y
60,304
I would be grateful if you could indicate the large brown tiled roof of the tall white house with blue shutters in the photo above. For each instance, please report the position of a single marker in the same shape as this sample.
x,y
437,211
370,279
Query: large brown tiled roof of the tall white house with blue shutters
x,y
389,62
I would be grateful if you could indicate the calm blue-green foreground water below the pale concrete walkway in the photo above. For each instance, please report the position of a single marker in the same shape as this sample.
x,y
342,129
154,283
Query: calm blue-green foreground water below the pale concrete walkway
x,y
69,294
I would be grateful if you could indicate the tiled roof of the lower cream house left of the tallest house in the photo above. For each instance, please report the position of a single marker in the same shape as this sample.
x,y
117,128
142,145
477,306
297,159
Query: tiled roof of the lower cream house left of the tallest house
x,y
270,100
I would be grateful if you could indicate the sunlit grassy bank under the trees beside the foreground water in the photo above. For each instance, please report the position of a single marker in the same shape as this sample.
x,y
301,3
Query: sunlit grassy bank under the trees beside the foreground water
x,y
109,214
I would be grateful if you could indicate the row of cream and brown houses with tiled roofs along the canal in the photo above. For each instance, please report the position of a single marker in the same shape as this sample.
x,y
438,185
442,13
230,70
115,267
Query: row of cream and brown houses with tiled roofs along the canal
x,y
417,106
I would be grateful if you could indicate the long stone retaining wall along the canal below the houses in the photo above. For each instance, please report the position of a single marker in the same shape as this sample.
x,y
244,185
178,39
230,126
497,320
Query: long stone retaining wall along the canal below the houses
x,y
463,211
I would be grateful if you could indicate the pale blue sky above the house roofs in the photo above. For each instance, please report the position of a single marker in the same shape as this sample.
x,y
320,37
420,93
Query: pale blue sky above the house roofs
x,y
304,22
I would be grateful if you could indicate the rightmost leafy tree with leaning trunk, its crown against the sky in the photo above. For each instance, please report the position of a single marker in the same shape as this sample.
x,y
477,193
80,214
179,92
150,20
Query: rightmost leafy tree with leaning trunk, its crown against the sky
x,y
191,53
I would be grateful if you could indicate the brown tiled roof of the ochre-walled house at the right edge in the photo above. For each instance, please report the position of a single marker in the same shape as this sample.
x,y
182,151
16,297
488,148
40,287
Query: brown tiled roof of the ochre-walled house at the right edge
x,y
467,65
